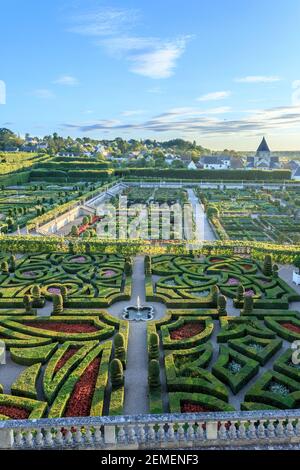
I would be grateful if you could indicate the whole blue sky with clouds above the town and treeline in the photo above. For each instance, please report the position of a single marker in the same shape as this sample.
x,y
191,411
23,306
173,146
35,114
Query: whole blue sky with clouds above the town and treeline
x,y
222,72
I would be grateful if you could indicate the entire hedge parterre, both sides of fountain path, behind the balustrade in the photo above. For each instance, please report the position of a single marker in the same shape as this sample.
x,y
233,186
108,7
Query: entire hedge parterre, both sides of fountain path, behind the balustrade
x,y
223,344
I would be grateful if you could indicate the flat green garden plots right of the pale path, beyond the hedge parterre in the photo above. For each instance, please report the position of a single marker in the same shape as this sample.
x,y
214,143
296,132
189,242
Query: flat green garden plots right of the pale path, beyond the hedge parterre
x,y
254,214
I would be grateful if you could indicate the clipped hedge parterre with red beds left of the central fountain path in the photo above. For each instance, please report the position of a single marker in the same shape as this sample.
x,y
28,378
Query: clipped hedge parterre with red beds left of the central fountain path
x,y
66,356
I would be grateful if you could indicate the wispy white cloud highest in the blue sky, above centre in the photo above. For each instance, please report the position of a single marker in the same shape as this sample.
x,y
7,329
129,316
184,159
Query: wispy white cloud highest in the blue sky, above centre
x,y
111,29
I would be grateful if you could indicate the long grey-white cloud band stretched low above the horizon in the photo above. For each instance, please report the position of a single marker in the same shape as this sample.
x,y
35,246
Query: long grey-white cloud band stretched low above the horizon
x,y
187,120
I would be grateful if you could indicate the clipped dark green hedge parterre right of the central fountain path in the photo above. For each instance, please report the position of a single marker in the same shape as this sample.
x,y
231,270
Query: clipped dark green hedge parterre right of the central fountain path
x,y
215,362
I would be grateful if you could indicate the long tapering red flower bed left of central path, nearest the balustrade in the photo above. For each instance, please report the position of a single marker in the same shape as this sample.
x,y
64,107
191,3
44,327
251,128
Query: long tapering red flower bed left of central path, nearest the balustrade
x,y
80,401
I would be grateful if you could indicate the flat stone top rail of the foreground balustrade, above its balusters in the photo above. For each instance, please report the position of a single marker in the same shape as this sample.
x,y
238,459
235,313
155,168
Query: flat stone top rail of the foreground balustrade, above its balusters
x,y
151,419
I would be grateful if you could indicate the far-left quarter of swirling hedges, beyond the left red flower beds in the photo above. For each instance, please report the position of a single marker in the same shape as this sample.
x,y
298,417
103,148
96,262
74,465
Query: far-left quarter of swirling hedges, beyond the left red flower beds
x,y
92,280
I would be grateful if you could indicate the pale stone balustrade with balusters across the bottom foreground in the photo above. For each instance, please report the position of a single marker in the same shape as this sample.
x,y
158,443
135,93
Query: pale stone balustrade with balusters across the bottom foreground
x,y
168,431
